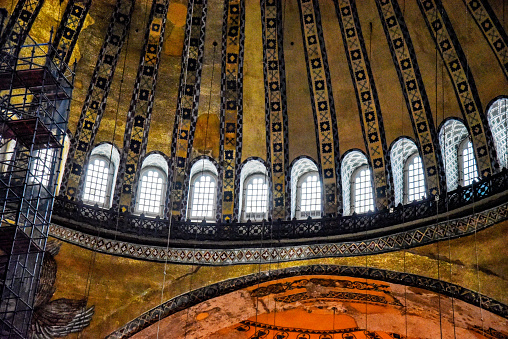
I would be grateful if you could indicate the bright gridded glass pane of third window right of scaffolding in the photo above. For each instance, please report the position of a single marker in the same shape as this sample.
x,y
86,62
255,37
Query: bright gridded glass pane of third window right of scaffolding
x,y
203,197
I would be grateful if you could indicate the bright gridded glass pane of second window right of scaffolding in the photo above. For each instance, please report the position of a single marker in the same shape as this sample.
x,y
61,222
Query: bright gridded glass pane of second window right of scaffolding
x,y
150,192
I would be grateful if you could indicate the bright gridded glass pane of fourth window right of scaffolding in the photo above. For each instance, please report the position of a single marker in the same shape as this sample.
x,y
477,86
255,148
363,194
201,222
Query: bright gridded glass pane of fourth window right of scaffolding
x,y
256,198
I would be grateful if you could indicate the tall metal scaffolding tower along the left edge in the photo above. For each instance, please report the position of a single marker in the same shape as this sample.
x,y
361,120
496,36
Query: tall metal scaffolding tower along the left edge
x,y
35,95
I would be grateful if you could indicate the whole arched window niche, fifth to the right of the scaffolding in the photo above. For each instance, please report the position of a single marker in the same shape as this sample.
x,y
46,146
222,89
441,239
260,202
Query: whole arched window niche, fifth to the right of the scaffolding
x,y
306,189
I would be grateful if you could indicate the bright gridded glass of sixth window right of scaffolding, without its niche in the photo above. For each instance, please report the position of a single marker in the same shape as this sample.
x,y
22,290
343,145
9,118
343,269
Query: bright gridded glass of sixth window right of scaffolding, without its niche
x,y
362,190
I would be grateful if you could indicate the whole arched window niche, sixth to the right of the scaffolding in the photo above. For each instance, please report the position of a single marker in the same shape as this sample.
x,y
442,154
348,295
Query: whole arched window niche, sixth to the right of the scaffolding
x,y
356,183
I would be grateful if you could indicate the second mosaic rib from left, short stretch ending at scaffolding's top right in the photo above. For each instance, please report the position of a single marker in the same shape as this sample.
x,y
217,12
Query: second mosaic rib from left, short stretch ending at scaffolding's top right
x,y
67,34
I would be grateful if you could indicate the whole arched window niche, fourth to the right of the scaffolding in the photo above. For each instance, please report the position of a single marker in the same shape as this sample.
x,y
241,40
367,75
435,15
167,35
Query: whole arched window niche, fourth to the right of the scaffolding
x,y
254,188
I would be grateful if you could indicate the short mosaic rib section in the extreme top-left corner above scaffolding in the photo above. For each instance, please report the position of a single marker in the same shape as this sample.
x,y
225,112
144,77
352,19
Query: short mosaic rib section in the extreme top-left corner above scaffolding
x,y
18,27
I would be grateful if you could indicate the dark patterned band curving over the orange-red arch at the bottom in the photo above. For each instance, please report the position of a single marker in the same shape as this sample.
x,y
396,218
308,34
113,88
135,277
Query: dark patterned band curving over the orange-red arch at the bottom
x,y
194,297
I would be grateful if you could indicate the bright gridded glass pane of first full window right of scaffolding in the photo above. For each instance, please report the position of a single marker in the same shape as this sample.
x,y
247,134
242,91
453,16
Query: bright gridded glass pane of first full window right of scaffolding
x,y
96,182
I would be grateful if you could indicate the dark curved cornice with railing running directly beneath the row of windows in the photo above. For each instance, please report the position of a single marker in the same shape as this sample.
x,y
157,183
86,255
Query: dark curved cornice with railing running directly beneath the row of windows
x,y
464,201
